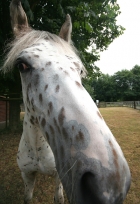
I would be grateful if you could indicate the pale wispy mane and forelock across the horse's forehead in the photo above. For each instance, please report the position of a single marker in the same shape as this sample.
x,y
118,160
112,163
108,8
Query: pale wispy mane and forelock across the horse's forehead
x,y
30,37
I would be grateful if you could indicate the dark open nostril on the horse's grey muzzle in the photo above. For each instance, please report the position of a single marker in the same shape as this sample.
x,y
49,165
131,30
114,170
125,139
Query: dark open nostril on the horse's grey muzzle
x,y
89,189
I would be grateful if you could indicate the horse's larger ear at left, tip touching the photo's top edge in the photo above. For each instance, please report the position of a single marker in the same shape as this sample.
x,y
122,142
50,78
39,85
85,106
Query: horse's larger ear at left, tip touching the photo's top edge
x,y
19,20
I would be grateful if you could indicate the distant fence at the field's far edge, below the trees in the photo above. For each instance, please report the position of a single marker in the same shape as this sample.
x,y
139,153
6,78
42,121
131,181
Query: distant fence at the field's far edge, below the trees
x,y
131,104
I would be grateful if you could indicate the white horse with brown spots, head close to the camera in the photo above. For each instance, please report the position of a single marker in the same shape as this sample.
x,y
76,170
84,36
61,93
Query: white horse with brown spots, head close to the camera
x,y
64,133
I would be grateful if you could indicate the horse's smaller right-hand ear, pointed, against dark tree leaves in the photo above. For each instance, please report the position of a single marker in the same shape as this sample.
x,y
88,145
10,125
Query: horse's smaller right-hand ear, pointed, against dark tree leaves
x,y
66,29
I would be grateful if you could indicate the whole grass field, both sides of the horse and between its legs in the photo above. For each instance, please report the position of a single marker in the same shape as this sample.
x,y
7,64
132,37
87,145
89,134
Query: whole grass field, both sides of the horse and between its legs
x,y
125,125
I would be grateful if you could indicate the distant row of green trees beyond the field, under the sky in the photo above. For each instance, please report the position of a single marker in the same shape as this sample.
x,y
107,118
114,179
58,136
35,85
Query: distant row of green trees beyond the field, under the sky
x,y
122,86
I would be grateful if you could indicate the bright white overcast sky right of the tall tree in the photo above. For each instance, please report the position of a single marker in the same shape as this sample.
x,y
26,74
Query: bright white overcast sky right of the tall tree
x,y
124,51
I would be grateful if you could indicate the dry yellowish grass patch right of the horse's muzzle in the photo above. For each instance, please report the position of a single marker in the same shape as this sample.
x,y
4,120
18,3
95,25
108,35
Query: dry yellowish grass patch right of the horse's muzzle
x,y
125,125
